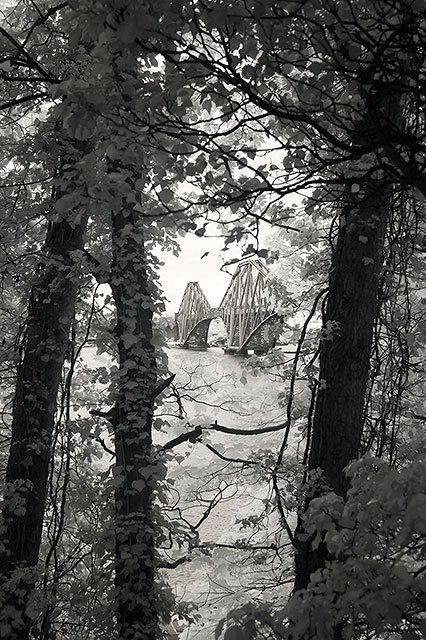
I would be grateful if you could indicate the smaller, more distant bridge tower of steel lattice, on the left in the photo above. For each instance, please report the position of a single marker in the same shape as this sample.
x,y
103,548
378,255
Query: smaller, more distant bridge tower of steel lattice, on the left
x,y
194,317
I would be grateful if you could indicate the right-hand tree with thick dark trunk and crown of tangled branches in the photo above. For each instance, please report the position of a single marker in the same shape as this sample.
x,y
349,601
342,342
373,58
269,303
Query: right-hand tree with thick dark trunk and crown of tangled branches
x,y
335,89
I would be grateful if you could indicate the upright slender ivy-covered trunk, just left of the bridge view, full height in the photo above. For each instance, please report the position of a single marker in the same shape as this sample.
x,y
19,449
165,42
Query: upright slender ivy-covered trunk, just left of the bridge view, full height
x,y
132,289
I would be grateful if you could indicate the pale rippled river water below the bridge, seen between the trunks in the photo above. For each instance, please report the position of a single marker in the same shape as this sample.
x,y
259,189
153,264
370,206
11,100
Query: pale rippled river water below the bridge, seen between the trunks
x,y
217,387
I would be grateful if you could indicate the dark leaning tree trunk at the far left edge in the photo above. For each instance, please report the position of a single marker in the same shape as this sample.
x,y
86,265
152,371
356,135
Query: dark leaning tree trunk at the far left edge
x,y
50,313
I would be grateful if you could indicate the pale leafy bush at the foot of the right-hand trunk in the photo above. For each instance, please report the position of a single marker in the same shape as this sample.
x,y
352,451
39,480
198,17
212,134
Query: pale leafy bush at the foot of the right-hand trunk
x,y
379,532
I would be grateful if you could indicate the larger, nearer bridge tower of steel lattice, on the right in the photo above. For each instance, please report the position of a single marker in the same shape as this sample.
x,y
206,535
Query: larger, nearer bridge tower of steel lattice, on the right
x,y
245,309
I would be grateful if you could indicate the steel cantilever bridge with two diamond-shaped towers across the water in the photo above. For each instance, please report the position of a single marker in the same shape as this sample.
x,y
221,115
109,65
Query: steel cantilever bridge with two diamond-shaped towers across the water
x,y
245,311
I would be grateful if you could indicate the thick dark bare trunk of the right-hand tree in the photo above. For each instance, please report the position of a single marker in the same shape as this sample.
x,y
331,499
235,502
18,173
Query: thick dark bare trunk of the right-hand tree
x,y
345,349
